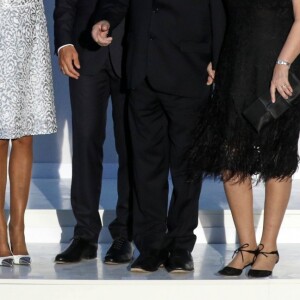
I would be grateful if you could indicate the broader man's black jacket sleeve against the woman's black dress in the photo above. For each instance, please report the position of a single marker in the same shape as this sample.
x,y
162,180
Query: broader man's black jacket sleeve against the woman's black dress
x,y
218,19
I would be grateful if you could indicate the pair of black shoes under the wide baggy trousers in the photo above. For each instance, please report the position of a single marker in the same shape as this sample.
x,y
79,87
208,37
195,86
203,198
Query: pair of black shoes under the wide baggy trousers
x,y
177,261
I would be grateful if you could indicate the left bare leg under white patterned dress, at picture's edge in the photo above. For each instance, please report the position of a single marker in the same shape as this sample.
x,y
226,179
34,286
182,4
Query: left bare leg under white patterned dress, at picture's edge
x,y
4,247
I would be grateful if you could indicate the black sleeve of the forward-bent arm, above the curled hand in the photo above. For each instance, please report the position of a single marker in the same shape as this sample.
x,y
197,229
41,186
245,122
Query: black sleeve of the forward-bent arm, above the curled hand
x,y
113,11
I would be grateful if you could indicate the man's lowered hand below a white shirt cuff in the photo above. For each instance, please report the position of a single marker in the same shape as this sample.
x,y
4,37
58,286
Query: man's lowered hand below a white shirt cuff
x,y
68,58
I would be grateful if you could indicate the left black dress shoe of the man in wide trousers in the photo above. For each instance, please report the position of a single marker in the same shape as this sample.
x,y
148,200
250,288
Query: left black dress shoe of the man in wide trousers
x,y
149,262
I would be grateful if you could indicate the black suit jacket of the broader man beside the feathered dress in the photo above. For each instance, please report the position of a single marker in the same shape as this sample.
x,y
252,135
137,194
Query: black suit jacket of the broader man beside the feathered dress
x,y
170,42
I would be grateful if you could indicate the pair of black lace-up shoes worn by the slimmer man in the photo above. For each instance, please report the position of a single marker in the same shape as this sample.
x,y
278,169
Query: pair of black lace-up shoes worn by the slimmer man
x,y
120,252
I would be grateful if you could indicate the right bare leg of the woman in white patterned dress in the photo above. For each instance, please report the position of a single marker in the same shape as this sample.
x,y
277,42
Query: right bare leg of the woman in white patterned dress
x,y
20,169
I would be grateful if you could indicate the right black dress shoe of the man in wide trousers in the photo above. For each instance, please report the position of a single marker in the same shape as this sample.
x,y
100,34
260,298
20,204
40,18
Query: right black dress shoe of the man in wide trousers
x,y
179,261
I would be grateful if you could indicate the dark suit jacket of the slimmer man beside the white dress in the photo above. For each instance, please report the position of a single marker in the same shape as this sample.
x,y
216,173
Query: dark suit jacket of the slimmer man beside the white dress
x,y
73,21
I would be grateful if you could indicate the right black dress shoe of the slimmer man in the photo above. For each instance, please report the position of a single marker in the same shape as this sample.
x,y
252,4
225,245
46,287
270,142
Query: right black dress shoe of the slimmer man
x,y
120,252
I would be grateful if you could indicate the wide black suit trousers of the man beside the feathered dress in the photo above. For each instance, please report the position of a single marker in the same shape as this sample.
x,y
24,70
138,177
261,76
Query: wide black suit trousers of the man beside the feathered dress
x,y
161,127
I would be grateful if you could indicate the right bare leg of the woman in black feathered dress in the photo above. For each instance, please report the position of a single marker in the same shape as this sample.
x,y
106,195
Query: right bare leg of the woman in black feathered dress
x,y
277,198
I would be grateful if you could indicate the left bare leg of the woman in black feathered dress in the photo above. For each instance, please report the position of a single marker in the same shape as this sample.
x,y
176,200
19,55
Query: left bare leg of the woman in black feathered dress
x,y
240,200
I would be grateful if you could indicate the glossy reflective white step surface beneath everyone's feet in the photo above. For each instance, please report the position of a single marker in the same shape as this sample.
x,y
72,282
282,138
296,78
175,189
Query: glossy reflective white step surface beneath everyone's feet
x,y
208,259
